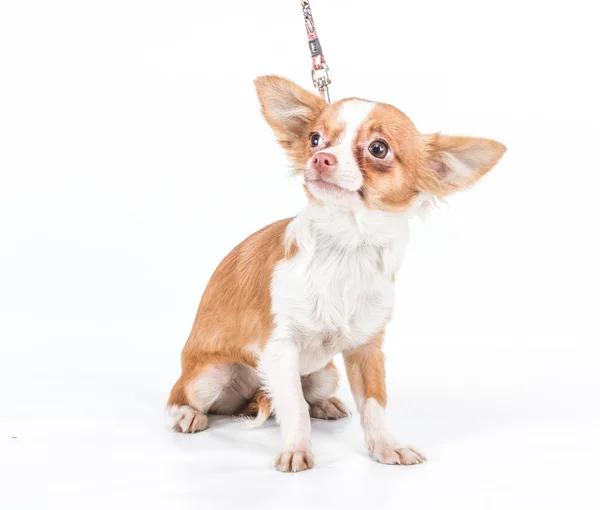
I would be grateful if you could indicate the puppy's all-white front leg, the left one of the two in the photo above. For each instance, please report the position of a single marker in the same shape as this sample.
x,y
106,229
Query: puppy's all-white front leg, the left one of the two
x,y
280,369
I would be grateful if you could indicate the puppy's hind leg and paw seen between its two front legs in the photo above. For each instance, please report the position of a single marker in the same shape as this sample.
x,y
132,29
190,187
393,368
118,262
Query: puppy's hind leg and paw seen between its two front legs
x,y
319,390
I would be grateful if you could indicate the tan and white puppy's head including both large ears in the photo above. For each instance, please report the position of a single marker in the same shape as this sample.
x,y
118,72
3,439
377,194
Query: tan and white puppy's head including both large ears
x,y
356,152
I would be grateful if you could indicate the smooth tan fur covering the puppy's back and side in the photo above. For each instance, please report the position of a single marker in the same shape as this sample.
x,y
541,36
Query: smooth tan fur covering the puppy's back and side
x,y
234,318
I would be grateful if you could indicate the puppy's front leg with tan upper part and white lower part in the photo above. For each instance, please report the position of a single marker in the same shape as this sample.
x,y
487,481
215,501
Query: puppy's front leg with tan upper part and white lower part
x,y
366,373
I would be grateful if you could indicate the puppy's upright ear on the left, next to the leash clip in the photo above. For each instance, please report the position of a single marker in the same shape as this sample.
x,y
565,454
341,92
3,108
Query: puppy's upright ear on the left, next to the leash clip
x,y
289,109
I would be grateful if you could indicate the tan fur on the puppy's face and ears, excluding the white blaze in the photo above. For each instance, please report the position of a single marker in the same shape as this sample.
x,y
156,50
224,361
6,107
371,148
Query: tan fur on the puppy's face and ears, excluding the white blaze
x,y
421,163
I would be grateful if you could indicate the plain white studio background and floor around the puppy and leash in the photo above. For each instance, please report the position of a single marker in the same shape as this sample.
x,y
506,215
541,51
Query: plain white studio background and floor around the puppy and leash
x,y
133,157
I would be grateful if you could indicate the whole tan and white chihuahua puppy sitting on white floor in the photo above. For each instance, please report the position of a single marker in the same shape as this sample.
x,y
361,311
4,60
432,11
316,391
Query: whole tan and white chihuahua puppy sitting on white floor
x,y
291,296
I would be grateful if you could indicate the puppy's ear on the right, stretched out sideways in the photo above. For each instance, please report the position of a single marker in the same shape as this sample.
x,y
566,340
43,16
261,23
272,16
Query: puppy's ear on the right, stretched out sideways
x,y
453,163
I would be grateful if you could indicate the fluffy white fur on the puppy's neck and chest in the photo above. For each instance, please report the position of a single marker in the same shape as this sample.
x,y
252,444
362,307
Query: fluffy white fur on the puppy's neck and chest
x,y
337,292
